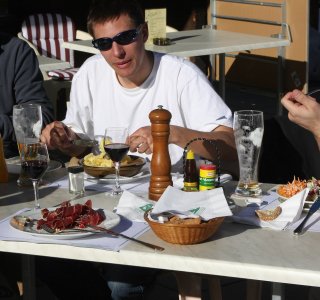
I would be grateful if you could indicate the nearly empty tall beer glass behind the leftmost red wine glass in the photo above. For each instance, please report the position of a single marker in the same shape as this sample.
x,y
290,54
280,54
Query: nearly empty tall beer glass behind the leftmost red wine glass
x,y
27,123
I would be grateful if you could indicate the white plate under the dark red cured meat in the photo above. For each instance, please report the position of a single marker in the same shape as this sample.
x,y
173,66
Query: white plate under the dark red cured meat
x,y
111,221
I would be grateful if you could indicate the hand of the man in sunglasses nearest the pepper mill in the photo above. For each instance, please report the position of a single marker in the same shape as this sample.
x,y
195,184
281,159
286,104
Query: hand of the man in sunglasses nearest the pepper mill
x,y
141,140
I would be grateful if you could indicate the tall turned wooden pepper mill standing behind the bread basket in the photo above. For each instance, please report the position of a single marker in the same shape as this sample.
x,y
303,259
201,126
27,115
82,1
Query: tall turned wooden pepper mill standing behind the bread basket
x,y
160,162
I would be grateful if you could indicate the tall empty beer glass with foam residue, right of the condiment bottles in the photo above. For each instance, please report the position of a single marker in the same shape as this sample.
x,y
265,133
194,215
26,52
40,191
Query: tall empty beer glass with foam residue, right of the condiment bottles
x,y
248,129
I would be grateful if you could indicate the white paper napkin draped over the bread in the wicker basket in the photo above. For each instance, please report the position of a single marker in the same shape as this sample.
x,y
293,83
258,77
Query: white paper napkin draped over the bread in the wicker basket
x,y
206,204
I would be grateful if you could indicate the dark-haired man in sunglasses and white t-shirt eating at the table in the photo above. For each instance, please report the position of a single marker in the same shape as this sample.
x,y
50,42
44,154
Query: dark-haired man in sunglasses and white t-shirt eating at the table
x,y
120,87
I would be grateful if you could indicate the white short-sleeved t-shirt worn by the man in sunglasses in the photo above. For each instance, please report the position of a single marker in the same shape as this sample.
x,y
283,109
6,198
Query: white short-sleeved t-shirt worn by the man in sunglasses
x,y
98,101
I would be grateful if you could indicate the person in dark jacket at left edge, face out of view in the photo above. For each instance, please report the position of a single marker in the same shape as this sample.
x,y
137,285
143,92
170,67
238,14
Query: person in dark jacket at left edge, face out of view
x,y
21,82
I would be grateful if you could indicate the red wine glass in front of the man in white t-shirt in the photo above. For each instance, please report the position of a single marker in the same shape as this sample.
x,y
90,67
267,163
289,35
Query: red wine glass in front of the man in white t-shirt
x,y
116,145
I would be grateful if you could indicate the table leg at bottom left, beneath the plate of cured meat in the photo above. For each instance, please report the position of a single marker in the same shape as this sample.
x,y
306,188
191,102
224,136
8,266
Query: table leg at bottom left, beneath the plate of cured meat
x,y
28,277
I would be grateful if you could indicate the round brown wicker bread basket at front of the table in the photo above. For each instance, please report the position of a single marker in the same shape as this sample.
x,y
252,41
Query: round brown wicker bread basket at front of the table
x,y
184,234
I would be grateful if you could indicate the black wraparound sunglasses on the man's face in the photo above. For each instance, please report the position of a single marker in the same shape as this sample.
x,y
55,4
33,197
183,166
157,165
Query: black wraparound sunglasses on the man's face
x,y
122,38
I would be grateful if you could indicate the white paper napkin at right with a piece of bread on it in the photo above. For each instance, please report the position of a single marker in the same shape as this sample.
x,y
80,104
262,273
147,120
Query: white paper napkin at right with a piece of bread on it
x,y
291,212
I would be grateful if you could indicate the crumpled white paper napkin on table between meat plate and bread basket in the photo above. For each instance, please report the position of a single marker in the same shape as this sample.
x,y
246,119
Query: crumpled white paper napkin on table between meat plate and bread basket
x,y
133,207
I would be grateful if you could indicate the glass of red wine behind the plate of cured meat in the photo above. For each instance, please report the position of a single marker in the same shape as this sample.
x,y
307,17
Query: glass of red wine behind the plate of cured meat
x,y
34,163
